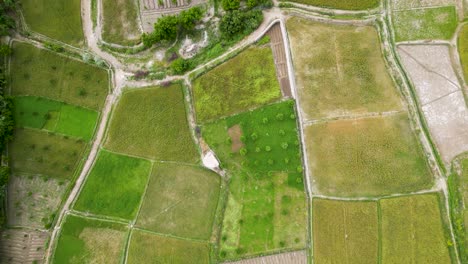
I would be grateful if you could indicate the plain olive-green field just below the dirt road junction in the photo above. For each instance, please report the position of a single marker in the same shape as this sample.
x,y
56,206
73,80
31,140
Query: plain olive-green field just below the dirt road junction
x,y
152,123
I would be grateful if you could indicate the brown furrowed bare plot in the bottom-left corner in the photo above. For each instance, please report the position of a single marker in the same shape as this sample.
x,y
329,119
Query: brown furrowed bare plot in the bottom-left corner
x,y
20,246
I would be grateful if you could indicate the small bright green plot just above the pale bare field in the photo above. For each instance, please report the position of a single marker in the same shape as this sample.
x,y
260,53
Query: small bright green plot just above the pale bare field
x,y
425,23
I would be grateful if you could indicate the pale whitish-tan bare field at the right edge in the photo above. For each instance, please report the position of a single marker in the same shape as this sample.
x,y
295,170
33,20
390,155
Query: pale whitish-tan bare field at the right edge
x,y
440,95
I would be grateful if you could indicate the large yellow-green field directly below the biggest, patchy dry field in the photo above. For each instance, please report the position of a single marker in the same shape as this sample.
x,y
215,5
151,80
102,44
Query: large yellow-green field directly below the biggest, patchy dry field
x,y
366,157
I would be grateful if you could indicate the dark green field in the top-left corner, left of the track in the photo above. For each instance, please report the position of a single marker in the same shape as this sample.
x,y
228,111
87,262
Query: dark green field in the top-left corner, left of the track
x,y
59,20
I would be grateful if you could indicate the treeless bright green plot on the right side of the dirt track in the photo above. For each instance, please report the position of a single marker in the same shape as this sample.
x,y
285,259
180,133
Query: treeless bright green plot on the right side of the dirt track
x,y
115,186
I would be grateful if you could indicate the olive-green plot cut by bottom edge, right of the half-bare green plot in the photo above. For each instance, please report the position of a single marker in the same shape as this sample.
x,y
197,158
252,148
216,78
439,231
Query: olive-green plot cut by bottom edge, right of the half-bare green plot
x,y
146,248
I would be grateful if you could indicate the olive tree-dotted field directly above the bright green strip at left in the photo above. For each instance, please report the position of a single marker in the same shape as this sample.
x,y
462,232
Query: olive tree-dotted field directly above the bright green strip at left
x,y
42,73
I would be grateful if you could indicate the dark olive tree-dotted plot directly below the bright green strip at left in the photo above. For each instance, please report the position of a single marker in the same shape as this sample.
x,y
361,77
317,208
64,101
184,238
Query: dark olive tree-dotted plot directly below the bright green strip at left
x,y
39,152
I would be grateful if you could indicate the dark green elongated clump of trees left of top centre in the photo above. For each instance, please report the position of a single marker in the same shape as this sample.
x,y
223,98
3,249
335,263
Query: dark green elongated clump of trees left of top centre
x,y
168,27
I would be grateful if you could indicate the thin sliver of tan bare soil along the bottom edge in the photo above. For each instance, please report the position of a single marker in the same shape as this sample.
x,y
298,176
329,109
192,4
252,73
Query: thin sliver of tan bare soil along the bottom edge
x,y
297,257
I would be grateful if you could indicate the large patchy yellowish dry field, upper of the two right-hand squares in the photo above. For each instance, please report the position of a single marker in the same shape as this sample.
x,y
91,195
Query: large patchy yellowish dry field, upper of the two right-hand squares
x,y
340,70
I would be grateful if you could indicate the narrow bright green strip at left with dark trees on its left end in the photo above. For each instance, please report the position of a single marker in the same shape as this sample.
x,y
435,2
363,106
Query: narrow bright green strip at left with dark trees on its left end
x,y
41,113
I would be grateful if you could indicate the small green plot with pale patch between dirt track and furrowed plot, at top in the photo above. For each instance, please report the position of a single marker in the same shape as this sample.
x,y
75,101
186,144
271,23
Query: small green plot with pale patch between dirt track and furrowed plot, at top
x,y
120,22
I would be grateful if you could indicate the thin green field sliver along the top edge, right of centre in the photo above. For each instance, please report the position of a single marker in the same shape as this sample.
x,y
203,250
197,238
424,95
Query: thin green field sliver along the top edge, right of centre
x,y
340,4
